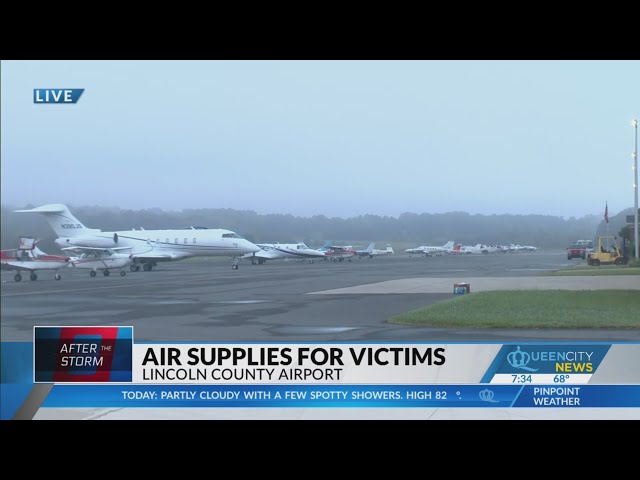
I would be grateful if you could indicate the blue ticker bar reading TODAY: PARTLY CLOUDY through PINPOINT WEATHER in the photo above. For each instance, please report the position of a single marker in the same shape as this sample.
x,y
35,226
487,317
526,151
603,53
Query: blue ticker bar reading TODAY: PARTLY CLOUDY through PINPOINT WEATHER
x,y
342,396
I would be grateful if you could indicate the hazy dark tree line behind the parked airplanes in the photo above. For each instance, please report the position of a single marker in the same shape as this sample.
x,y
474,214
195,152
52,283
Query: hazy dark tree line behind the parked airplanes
x,y
544,231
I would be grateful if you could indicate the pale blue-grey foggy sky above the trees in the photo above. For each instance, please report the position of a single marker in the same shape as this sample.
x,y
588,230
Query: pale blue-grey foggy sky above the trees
x,y
338,138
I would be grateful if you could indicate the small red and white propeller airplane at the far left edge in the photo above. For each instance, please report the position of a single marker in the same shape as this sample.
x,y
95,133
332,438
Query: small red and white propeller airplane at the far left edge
x,y
29,258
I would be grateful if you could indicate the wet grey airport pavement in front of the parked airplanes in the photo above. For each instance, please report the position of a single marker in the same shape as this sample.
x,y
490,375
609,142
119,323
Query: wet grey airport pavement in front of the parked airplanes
x,y
290,301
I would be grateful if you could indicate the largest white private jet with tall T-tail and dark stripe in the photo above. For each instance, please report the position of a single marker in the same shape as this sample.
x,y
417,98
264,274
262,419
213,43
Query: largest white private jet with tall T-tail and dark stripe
x,y
147,247
